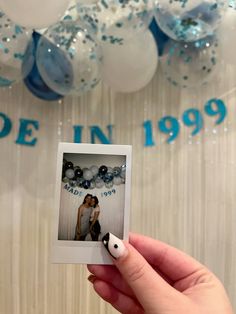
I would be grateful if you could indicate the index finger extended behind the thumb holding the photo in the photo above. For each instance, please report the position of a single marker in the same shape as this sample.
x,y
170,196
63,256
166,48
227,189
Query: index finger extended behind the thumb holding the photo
x,y
172,262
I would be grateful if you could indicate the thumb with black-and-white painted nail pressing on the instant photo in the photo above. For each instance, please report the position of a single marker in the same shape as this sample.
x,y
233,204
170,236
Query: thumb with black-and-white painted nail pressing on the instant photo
x,y
151,290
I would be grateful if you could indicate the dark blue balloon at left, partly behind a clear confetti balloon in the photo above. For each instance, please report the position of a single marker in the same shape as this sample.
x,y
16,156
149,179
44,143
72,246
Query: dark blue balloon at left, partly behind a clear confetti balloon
x,y
34,81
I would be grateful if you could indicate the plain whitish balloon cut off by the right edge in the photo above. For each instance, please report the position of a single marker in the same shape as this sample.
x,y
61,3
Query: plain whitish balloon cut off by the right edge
x,y
226,34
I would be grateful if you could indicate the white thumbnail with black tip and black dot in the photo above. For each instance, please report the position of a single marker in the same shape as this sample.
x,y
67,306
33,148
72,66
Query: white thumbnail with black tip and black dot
x,y
114,246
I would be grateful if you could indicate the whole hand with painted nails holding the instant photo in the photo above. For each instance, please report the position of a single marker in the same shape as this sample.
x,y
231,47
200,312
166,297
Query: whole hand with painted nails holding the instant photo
x,y
152,277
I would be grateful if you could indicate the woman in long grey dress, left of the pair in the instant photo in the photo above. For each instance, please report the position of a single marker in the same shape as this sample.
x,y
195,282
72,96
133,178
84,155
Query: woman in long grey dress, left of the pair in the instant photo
x,y
83,219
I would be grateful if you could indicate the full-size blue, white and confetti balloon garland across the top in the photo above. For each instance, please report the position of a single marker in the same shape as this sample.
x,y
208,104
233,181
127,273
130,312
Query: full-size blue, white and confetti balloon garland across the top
x,y
82,44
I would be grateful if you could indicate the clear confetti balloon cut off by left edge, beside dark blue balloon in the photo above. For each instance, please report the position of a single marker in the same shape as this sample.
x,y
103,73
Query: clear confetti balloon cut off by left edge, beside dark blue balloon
x,y
13,45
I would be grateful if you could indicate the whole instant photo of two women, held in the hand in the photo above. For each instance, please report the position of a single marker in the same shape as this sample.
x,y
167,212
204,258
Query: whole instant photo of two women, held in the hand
x,y
93,187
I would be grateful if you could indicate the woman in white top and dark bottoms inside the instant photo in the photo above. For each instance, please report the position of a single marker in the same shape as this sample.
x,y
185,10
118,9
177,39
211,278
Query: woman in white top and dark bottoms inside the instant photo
x,y
95,228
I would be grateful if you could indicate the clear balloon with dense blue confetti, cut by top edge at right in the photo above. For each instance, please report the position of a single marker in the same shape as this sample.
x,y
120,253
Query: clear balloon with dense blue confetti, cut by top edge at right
x,y
189,20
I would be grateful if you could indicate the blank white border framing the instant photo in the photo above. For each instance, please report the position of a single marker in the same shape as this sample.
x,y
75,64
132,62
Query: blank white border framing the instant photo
x,y
87,252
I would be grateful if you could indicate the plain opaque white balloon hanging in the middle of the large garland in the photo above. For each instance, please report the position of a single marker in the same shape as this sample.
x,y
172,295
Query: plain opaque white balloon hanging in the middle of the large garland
x,y
129,67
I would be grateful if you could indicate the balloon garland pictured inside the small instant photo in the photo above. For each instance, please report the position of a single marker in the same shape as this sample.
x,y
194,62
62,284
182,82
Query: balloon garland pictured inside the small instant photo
x,y
93,177
